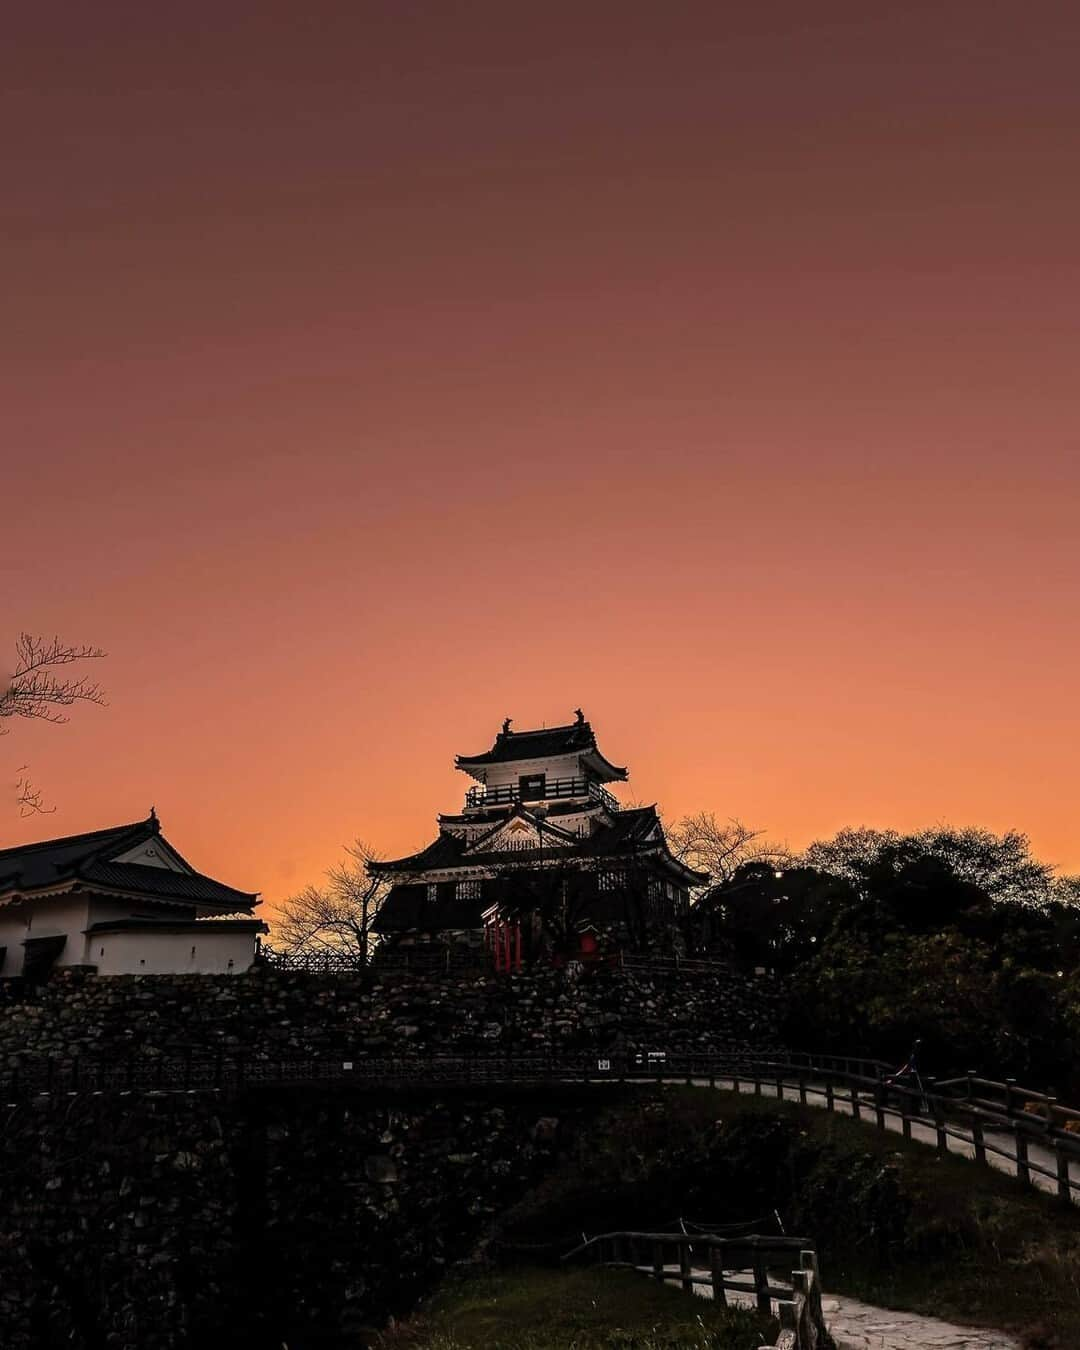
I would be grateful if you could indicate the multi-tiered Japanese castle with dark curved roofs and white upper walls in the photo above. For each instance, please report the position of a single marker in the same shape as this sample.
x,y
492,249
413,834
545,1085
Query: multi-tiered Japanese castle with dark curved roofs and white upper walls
x,y
541,811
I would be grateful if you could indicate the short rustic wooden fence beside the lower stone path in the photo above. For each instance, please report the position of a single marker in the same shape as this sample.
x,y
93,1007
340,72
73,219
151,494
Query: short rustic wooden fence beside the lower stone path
x,y
724,1266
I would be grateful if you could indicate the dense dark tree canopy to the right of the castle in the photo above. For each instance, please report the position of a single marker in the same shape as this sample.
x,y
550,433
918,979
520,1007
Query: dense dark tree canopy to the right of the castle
x,y
961,938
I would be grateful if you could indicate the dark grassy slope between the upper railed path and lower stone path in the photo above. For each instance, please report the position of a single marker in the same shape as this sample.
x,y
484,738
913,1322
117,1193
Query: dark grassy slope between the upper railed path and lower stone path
x,y
896,1224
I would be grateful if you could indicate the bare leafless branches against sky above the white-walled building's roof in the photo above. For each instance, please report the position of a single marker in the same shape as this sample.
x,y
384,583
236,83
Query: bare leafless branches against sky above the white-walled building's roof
x,y
40,691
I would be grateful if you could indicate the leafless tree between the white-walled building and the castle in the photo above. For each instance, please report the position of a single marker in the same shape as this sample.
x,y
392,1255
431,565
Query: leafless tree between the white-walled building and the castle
x,y
335,917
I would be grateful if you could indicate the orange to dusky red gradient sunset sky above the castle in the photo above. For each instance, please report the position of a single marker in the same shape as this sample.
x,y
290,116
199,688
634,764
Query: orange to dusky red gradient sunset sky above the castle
x,y
373,372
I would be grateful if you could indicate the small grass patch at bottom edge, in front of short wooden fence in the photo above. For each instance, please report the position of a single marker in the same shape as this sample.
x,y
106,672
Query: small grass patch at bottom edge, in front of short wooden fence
x,y
588,1309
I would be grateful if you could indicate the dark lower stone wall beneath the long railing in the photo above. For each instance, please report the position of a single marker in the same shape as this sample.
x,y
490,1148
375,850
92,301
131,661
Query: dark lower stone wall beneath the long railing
x,y
256,1221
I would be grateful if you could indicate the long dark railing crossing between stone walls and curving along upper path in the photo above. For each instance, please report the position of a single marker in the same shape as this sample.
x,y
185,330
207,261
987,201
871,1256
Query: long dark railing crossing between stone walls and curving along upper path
x,y
994,1118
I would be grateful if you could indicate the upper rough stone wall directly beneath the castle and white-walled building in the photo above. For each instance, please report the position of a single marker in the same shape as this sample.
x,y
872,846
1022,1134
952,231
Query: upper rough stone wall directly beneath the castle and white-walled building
x,y
269,1015
